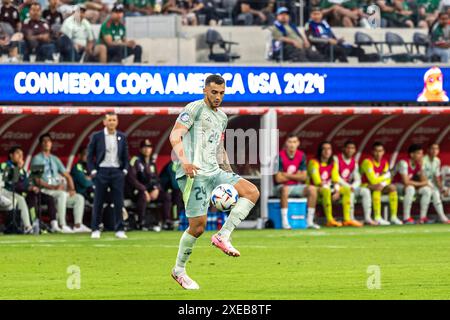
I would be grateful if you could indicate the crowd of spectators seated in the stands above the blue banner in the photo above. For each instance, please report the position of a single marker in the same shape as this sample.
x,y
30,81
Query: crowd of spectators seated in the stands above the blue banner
x,y
62,30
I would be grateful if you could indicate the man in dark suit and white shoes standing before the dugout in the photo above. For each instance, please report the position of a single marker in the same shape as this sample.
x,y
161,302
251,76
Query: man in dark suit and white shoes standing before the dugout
x,y
108,164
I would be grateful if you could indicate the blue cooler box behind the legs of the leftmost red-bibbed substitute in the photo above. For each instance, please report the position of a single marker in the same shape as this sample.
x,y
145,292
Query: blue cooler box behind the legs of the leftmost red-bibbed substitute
x,y
297,210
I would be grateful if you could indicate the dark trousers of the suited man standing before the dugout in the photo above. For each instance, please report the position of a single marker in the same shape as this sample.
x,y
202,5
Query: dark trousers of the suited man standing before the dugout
x,y
114,179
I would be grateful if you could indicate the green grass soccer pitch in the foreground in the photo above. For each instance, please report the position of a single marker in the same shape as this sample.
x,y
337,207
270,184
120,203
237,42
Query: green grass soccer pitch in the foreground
x,y
414,263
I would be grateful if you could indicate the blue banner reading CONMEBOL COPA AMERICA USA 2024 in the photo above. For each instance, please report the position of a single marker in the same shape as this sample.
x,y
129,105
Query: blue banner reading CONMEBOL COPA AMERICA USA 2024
x,y
118,84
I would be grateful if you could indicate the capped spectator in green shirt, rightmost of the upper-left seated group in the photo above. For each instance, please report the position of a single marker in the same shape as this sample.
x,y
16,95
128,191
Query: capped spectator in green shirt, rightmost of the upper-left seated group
x,y
113,35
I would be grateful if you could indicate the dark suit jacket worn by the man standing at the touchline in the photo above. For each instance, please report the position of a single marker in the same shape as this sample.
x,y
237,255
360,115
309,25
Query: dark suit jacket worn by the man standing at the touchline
x,y
97,150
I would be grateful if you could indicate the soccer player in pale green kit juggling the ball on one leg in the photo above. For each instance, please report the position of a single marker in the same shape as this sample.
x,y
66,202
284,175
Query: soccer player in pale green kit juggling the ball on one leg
x,y
198,142
